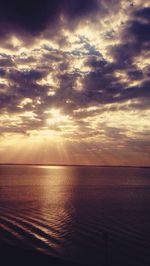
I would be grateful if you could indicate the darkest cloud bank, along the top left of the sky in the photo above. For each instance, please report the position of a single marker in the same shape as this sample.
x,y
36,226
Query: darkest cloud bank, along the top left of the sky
x,y
34,15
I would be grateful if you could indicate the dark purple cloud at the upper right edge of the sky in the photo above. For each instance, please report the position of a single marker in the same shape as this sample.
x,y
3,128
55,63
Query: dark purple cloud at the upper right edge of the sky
x,y
135,38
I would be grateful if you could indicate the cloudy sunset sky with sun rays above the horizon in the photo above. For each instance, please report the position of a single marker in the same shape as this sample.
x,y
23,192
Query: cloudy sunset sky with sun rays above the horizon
x,y
75,82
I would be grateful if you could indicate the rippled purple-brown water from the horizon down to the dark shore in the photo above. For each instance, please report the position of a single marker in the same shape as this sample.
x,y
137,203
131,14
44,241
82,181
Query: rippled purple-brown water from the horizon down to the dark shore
x,y
63,211
